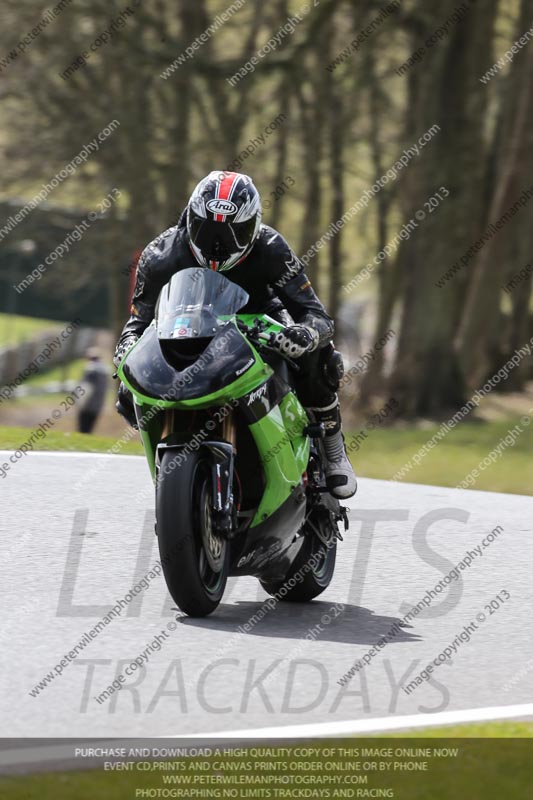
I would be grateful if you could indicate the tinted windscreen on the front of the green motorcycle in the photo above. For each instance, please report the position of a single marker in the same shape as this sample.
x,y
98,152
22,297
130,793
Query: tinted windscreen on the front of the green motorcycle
x,y
197,302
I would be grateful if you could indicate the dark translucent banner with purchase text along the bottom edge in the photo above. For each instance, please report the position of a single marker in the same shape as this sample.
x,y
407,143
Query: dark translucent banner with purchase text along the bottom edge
x,y
399,767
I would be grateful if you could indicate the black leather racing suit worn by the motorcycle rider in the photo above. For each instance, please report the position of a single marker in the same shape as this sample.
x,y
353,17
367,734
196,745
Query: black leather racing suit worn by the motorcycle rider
x,y
275,280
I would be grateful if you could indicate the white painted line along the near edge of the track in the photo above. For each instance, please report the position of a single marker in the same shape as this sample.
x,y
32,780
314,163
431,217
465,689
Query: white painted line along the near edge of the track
x,y
377,725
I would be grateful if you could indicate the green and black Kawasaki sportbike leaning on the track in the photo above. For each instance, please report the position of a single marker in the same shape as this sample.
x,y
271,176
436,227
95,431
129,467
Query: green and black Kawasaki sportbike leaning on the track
x,y
236,461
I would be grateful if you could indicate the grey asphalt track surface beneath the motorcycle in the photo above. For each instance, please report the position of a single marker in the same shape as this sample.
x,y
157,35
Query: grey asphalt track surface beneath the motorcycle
x,y
77,535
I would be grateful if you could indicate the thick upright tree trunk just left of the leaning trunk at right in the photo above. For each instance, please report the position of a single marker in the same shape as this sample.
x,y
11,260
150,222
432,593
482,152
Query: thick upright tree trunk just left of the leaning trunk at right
x,y
444,90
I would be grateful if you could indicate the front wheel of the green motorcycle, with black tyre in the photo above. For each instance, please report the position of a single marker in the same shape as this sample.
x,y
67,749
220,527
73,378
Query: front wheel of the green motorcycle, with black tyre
x,y
195,559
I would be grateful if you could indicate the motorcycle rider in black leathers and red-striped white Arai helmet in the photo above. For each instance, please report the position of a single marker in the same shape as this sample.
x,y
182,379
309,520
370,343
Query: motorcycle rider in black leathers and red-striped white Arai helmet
x,y
221,229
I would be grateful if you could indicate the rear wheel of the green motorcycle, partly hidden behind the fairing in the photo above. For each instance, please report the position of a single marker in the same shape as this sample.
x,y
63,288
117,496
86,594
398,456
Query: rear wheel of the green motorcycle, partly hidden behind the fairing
x,y
310,573
